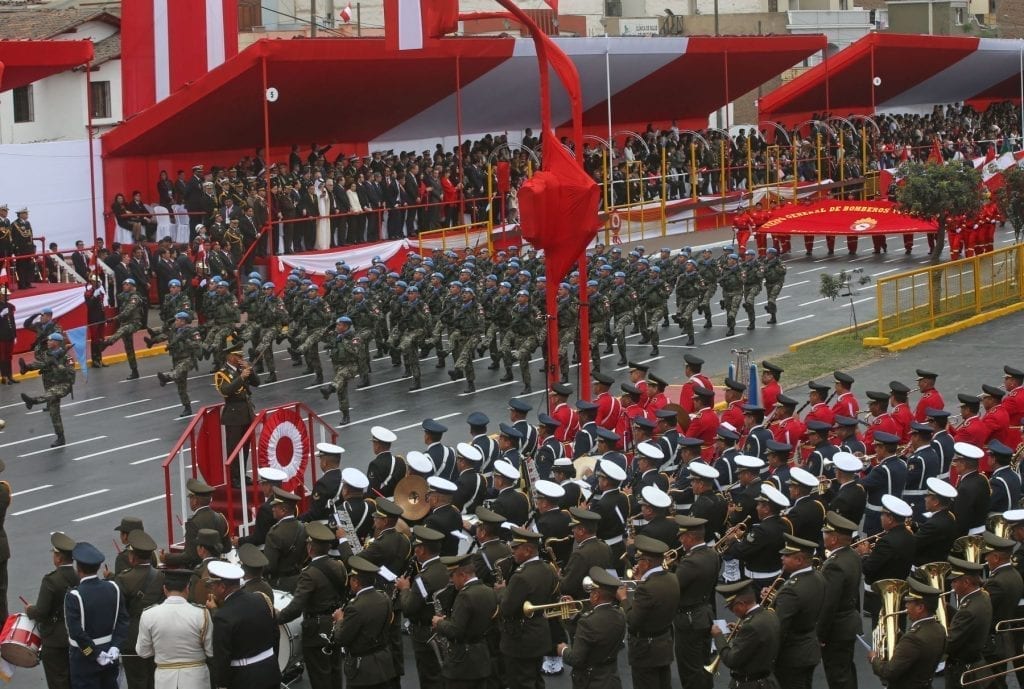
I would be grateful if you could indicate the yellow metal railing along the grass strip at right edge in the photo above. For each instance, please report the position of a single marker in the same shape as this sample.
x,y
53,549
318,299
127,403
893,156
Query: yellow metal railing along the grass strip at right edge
x,y
963,288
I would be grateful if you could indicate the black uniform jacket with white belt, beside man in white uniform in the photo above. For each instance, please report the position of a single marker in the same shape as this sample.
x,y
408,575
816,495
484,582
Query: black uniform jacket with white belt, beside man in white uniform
x,y
244,627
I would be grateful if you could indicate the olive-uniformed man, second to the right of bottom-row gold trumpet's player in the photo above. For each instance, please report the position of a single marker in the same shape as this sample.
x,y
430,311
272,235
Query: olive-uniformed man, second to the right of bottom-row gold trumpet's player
x,y
697,575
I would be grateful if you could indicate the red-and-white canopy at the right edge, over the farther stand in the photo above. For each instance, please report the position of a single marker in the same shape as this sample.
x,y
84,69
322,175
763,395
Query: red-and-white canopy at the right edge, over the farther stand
x,y
913,74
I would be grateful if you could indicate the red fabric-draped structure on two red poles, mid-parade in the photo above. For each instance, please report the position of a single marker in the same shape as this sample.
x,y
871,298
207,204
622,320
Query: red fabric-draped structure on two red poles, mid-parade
x,y
559,205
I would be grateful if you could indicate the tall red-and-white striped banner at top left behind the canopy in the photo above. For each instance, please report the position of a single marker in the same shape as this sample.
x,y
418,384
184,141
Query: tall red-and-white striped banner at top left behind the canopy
x,y
166,45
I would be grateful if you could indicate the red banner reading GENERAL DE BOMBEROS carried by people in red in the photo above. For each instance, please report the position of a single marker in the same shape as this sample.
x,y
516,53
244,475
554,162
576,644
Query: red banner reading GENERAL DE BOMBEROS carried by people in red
x,y
844,218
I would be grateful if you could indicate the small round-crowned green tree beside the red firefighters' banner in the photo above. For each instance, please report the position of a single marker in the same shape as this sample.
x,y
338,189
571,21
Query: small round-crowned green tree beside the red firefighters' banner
x,y
937,192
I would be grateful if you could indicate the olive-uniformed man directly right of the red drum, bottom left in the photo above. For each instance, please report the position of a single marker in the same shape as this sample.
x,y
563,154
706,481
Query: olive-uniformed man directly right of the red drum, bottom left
x,y
49,613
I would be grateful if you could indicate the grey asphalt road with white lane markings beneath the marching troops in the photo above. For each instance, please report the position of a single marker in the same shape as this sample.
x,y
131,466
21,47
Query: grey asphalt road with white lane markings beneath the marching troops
x,y
120,432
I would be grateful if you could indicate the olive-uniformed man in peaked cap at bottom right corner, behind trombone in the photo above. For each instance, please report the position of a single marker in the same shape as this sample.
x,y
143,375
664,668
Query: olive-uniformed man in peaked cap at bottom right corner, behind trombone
x,y
1005,588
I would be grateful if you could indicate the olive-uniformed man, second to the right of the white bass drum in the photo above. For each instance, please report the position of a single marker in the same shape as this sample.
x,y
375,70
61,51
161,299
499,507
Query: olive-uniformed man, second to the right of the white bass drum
x,y
362,629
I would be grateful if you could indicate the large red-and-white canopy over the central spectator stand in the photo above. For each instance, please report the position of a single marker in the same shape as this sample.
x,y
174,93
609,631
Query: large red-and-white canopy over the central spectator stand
x,y
356,92
